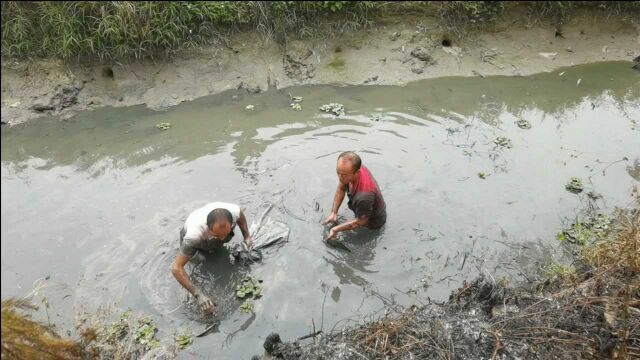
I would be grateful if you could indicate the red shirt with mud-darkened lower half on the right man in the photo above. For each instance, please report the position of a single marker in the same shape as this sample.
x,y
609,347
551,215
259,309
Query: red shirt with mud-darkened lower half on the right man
x,y
365,199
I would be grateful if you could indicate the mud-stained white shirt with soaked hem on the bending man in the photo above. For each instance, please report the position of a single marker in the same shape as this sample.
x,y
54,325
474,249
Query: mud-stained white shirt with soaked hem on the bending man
x,y
195,233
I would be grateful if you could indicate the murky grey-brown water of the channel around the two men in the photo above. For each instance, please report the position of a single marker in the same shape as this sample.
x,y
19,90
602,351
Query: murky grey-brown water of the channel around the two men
x,y
91,207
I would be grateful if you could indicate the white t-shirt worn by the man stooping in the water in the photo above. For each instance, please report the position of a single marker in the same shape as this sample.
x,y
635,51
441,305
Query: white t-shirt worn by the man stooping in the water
x,y
195,227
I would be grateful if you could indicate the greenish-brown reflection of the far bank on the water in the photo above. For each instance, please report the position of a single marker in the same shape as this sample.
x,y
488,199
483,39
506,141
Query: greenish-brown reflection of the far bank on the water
x,y
128,137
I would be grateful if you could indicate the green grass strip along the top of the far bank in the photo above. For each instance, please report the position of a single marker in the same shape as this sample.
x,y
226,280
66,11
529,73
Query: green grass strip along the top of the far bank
x,y
126,29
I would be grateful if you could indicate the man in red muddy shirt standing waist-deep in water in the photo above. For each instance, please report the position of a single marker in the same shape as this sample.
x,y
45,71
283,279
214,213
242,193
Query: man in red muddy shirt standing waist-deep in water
x,y
365,198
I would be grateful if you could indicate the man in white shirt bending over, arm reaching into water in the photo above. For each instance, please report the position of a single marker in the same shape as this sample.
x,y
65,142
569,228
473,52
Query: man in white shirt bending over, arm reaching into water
x,y
204,232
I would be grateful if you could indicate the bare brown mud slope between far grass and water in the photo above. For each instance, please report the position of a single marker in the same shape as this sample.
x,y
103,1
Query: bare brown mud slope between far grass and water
x,y
395,51
